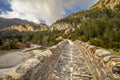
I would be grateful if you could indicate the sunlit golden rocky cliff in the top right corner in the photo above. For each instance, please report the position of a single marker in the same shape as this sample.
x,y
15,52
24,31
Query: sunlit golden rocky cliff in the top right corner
x,y
106,3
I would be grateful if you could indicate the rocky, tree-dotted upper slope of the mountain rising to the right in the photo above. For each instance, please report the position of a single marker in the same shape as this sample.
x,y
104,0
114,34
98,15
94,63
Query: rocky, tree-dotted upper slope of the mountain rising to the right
x,y
104,8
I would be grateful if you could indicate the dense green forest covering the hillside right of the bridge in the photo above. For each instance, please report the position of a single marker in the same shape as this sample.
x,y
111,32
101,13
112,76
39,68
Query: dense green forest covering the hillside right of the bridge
x,y
100,27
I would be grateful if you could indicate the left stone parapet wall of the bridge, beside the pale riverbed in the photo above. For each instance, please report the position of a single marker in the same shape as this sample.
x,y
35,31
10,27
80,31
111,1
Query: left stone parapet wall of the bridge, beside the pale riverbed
x,y
37,67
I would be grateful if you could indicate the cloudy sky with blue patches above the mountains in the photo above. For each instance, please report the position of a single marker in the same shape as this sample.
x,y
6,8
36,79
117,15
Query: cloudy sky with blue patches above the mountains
x,y
42,11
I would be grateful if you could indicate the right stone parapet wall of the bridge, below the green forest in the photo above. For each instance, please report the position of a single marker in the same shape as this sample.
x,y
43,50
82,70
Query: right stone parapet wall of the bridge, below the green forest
x,y
106,63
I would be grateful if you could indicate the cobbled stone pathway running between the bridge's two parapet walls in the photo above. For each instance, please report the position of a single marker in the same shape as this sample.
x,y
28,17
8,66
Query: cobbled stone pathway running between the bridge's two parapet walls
x,y
71,66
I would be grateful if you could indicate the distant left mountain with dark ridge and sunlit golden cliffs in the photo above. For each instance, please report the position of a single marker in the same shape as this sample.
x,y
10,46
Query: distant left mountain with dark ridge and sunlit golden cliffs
x,y
21,25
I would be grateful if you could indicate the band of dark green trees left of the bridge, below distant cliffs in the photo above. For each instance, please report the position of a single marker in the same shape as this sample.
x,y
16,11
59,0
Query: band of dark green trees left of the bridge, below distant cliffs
x,y
18,40
